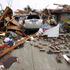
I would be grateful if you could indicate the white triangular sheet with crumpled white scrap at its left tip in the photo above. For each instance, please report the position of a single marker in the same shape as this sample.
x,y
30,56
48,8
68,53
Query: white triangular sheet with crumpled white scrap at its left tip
x,y
51,32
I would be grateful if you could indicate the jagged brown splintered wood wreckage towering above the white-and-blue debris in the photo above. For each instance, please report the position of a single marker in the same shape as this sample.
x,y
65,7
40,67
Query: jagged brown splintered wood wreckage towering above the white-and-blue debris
x,y
8,22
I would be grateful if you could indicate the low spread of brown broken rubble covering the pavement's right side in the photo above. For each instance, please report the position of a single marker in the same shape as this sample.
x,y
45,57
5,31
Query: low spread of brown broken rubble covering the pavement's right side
x,y
58,46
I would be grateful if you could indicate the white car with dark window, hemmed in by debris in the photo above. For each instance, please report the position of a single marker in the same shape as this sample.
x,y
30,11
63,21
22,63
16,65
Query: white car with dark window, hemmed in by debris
x,y
33,22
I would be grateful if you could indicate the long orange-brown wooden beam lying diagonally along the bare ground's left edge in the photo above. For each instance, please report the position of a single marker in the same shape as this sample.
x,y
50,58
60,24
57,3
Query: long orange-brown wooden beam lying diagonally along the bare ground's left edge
x,y
19,42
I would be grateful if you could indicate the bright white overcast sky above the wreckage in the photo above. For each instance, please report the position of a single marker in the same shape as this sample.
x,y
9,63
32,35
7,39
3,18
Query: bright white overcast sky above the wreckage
x,y
35,4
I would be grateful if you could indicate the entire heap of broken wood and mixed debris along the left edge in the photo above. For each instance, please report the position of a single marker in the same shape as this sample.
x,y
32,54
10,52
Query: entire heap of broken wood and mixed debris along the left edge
x,y
11,37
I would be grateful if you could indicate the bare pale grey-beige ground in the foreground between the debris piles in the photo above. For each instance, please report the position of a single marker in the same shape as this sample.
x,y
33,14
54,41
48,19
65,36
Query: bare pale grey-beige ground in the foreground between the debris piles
x,y
31,58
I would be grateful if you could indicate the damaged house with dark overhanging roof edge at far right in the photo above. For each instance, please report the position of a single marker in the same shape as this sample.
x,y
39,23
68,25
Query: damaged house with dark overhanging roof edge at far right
x,y
62,16
